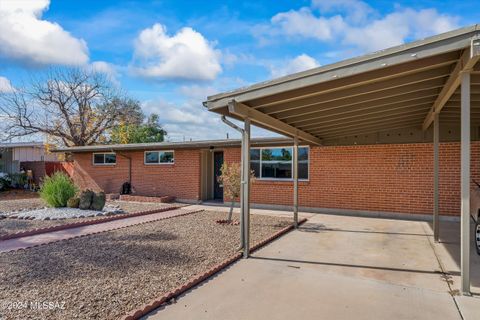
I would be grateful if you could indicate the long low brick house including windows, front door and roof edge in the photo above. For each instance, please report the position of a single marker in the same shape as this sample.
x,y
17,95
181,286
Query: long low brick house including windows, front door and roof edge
x,y
394,178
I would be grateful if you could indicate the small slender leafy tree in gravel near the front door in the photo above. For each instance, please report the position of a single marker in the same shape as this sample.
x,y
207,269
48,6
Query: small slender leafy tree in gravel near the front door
x,y
231,180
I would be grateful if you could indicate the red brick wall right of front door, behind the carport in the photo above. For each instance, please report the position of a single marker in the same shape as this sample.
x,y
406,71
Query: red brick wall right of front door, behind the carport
x,y
393,178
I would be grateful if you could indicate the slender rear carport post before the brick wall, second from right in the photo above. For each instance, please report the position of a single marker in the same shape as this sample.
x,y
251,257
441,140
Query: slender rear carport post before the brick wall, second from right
x,y
436,170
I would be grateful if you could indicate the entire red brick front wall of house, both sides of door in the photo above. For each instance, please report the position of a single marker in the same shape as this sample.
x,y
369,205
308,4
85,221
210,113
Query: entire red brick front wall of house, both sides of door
x,y
388,178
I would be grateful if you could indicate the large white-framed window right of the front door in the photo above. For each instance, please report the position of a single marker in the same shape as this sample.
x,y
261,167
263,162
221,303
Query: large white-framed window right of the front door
x,y
276,163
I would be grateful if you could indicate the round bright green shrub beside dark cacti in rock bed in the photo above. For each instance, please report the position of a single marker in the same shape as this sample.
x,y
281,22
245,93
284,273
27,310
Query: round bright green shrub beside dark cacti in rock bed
x,y
57,189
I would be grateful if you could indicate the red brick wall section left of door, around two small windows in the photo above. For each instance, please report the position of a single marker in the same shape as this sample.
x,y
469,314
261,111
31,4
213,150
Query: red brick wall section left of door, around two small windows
x,y
181,179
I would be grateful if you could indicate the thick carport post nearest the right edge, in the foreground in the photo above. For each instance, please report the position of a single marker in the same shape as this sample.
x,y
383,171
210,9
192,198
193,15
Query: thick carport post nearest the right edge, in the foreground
x,y
465,183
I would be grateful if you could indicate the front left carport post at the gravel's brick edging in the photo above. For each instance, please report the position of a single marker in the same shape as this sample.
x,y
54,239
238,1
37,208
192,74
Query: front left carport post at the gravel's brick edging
x,y
246,186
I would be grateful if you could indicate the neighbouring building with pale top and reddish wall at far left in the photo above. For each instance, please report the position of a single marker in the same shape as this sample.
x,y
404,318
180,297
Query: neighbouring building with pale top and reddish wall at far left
x,y
28,156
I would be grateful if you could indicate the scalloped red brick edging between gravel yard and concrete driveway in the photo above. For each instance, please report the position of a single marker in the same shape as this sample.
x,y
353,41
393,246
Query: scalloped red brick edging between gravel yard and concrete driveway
x,y
199,278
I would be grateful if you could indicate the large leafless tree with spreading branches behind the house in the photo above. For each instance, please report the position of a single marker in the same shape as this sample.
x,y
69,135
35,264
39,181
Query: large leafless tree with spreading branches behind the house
x,y
75,107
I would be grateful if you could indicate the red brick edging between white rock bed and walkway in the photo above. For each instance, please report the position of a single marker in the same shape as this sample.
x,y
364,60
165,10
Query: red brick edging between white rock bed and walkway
x,y
81,223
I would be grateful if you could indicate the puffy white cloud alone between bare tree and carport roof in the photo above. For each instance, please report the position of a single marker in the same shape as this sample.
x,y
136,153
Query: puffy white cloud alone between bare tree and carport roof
x,y
186,55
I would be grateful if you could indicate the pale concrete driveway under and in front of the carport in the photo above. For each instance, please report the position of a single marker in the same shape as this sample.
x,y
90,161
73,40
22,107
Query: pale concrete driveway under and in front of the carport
x,y
339,267
